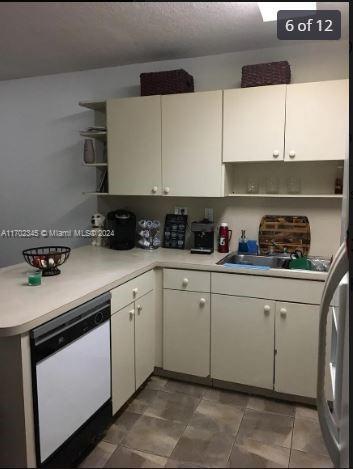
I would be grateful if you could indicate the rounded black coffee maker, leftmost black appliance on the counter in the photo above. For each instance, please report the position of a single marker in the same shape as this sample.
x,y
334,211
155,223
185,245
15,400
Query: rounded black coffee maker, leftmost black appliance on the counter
x,y
123,224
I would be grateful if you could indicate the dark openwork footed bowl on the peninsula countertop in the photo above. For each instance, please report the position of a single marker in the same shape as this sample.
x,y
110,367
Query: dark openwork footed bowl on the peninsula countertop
x,y
47,258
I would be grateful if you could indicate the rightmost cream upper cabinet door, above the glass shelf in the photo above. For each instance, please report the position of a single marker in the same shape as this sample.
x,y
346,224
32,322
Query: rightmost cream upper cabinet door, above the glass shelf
x,y
317,121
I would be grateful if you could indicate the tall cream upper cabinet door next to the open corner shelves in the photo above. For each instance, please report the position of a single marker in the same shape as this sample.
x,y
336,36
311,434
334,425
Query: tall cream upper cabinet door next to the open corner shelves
x,y
134,145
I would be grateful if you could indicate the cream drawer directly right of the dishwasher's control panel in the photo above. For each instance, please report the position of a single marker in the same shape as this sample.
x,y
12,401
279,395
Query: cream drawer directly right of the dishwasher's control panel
x,y
131,290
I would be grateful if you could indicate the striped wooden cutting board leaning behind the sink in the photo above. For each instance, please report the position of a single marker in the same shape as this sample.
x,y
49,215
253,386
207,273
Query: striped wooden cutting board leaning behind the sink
x,y
287,231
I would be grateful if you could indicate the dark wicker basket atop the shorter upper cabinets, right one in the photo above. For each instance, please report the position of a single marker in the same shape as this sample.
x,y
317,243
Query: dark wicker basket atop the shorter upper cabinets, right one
x,y
273,73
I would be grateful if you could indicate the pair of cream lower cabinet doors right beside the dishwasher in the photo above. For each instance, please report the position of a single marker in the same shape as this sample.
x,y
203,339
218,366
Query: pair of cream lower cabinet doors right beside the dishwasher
x,y
133,348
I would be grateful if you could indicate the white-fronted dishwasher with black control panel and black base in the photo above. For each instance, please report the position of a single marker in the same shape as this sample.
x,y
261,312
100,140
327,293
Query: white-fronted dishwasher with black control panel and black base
x,y
71,382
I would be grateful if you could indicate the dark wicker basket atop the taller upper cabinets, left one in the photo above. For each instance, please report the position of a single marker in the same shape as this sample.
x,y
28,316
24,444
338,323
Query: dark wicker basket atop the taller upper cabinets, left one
x,y
169,82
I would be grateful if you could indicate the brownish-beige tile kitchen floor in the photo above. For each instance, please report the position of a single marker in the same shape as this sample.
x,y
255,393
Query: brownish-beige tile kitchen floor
x,y
175,424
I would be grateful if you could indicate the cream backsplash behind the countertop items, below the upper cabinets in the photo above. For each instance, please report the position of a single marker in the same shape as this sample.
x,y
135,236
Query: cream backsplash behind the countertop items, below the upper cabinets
x,y
324,215
